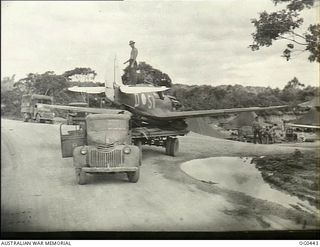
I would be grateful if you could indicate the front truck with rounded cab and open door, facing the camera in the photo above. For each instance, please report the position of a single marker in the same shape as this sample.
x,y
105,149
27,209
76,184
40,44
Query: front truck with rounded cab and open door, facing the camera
x,y
104,145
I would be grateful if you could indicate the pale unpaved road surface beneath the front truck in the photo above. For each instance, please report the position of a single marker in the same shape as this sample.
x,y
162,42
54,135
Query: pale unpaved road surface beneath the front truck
x,y
39,192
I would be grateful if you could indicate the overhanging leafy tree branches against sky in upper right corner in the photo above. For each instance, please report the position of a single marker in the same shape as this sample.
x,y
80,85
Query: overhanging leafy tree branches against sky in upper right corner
x,y
285,24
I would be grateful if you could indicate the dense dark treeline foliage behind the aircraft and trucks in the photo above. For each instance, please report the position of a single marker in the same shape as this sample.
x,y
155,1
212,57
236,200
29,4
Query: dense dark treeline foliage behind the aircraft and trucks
x,y
192,97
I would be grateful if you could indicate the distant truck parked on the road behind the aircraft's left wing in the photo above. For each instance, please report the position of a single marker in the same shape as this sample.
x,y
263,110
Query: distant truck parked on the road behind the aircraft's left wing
x,y
32,112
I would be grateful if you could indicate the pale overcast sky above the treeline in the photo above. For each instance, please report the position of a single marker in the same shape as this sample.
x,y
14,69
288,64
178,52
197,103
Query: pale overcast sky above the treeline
x,y
193,42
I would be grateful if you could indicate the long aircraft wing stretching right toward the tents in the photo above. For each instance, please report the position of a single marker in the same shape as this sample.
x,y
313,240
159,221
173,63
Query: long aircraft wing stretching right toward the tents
x,y
167,115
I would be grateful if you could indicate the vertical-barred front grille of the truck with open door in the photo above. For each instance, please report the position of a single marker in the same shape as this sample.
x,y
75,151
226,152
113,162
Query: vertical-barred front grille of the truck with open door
x,y
105,158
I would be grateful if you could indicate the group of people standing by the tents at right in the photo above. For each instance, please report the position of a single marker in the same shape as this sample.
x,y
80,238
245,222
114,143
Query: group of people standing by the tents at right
x,y
260,133
